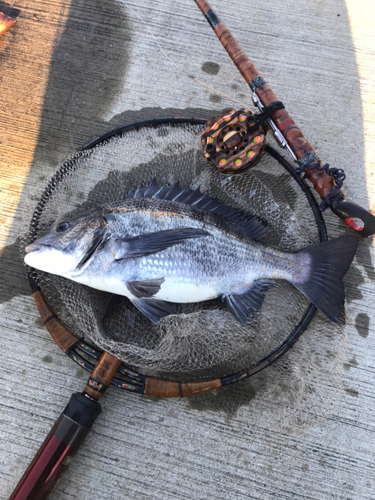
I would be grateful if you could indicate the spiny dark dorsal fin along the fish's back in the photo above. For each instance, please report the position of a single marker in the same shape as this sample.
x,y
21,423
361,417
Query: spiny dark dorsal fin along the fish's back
x,y
251,225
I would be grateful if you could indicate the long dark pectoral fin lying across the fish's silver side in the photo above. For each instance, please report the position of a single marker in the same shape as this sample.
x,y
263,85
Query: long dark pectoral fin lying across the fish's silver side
x,y
147,244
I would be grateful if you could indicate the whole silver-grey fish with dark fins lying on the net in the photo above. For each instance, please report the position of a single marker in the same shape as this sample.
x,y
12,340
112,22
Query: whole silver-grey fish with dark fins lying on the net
x,y
162,245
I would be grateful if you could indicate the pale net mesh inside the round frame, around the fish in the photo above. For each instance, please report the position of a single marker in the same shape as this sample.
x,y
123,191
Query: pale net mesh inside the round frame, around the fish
x,y
203,337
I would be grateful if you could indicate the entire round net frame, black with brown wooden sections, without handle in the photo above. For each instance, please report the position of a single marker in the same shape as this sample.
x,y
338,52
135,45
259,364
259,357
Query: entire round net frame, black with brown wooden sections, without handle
x,y
83,353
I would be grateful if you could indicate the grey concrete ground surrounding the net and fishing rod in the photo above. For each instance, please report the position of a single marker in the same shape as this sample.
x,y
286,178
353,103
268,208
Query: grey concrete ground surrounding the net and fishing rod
x,y
302,429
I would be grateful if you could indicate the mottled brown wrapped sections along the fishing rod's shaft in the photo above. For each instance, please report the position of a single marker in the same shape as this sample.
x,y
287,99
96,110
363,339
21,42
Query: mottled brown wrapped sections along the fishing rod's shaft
x,y
321,181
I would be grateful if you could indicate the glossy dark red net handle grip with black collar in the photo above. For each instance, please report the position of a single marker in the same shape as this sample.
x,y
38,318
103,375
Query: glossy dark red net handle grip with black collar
x,y
61,444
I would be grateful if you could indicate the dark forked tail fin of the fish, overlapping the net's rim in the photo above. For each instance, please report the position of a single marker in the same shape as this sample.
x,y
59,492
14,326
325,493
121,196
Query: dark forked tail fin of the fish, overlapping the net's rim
x,y
329,262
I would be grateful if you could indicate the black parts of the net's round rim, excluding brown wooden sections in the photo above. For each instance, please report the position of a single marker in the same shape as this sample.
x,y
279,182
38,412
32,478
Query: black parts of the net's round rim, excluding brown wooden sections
x,y
137,380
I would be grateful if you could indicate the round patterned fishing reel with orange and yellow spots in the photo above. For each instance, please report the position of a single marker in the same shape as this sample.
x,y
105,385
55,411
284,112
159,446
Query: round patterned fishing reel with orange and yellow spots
x,y
230,143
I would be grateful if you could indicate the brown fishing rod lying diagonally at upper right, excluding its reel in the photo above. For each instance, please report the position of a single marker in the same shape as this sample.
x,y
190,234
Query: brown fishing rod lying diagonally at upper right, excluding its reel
x,y
327,181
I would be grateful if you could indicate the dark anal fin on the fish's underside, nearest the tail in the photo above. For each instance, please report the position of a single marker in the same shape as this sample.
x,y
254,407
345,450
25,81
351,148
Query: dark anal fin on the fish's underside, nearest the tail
x,y
241,305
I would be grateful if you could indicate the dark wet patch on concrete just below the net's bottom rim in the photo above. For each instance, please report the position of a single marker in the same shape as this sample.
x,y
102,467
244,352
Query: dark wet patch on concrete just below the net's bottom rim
x,y
227,399
